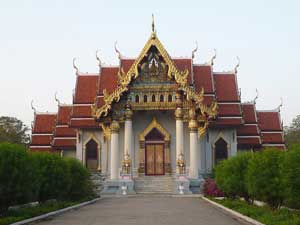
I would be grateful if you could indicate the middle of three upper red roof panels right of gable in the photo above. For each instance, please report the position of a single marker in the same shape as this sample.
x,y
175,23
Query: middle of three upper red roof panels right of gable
x,y
203,78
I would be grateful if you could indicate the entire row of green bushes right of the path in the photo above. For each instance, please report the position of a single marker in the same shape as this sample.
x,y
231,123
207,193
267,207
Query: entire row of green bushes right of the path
x,y
271,175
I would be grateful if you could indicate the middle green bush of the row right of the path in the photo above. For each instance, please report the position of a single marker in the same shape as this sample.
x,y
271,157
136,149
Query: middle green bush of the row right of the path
x,y
264,179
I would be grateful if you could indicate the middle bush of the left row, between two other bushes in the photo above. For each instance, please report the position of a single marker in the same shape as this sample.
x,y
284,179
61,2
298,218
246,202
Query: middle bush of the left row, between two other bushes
x,y
54,176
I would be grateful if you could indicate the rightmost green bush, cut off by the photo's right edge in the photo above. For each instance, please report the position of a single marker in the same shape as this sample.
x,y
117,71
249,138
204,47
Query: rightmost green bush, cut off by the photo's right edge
x,y
291,177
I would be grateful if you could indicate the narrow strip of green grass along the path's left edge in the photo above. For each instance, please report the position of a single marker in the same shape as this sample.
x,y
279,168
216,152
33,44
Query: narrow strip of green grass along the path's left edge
x,y
29,212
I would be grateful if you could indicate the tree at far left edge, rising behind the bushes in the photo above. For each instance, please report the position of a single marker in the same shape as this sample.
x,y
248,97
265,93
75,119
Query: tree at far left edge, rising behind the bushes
x,y
13,130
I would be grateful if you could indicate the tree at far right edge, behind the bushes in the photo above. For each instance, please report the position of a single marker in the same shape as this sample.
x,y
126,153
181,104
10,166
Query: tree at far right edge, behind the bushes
x,y
292,132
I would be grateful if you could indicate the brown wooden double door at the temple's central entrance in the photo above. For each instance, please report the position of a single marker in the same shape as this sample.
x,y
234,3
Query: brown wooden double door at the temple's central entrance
x,y
154,159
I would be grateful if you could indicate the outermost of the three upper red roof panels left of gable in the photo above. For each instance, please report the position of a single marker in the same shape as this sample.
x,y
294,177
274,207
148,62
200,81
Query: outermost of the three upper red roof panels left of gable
x,y
86,89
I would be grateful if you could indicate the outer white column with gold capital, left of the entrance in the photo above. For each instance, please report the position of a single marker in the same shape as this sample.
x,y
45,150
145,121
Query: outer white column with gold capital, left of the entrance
x,y
114,153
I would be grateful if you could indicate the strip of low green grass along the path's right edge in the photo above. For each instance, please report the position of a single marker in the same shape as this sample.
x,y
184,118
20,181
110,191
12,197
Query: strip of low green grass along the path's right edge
x,y
262,214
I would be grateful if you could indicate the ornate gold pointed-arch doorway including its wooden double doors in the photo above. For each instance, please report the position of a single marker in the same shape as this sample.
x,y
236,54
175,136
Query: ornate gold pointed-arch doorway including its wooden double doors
x,y
155,140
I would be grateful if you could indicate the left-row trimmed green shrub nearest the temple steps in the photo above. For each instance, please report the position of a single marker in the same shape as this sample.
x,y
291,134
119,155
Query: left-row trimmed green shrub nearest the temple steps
x,y
80,185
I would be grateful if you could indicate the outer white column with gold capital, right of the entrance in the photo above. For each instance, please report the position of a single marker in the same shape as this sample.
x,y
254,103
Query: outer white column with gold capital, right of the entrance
x,y
194,148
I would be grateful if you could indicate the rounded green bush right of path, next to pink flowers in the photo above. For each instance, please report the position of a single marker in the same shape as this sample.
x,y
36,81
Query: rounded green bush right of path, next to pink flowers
x,y
231,175
